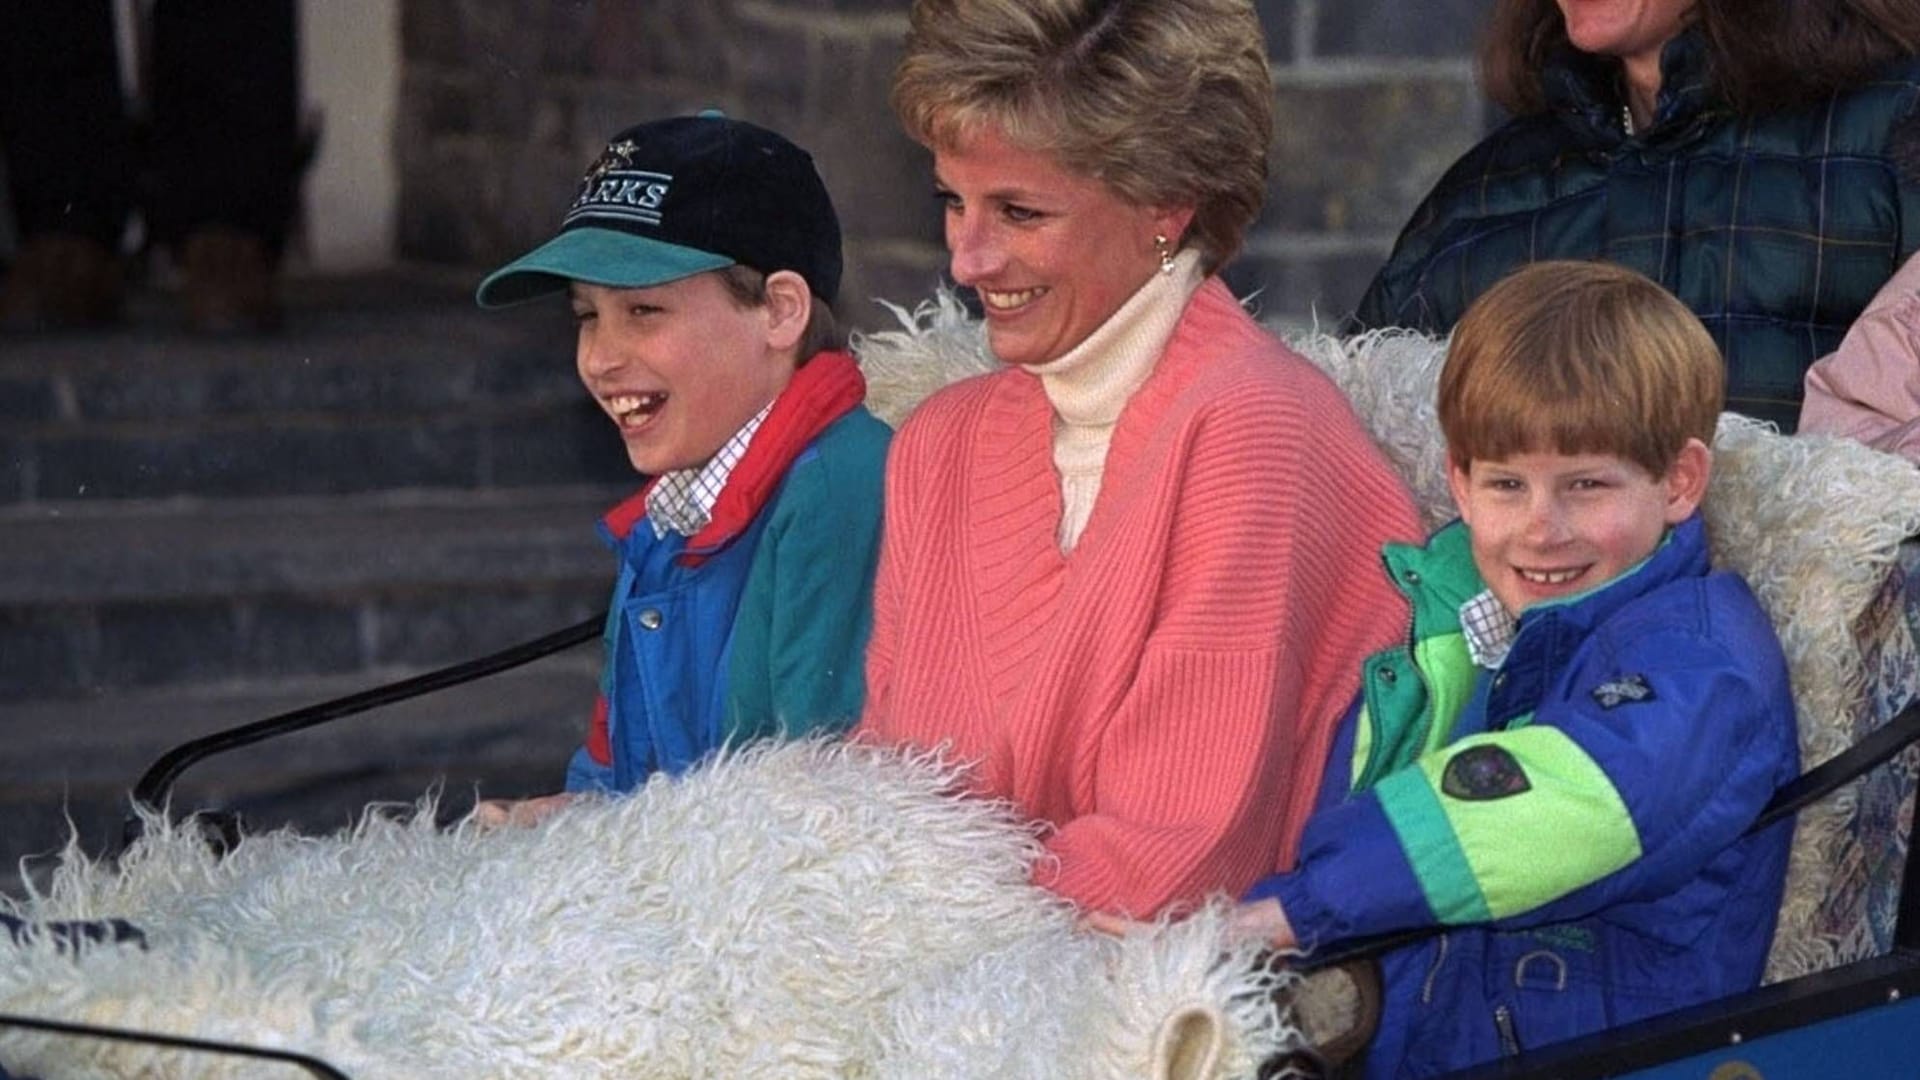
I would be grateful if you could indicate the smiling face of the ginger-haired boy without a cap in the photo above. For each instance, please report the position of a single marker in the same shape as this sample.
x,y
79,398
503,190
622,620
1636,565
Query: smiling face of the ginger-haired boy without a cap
x,y
1550,526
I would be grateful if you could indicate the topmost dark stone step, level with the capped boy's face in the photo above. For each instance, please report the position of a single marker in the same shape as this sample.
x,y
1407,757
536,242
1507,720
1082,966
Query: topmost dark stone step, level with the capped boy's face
x,y
377,383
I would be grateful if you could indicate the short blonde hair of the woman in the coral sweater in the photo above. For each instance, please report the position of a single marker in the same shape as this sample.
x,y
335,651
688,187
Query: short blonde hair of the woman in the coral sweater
x,y
1166,103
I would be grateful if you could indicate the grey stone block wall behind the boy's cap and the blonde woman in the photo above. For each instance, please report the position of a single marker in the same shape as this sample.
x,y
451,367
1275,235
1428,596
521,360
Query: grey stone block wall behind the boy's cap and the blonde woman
x,y
506,101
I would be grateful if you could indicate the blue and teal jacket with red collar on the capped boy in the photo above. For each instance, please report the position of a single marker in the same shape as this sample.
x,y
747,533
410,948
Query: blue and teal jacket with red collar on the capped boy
x,y
756,626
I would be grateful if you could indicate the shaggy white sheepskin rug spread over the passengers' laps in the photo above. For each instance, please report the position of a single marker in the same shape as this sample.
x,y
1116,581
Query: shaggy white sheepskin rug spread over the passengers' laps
x,y
804,910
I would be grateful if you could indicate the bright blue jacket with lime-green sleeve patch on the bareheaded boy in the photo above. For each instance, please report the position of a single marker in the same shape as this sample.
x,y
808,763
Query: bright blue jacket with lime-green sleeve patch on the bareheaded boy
x,y
1572,822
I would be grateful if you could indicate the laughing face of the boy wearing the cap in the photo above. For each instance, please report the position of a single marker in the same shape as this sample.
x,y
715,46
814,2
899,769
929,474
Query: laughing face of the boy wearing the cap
x,y
679,366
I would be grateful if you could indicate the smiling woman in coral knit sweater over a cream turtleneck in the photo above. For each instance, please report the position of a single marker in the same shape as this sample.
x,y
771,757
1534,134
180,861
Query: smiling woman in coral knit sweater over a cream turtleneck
x,y
1130,576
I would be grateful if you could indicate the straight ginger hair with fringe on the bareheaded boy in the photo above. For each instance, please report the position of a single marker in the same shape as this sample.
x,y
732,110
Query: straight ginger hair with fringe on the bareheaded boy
x,y
1579,358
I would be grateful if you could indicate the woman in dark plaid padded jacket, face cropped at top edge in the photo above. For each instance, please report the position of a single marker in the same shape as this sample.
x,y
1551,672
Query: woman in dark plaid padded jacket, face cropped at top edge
x,y
1758,159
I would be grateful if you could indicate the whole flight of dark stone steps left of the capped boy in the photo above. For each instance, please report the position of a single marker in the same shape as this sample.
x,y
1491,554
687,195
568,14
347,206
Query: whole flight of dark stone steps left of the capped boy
x,y
199,533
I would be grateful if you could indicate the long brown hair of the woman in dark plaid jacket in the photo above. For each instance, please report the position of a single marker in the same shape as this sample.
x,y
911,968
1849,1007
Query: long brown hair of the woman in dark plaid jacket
x,y
1762,55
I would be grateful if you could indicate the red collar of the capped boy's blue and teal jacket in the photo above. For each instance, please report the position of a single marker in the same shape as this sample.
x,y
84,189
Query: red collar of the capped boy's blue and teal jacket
x,y
823,391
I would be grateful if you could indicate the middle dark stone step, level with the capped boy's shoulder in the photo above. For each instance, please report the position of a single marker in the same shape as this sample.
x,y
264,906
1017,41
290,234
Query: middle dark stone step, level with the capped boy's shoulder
x,y
110,597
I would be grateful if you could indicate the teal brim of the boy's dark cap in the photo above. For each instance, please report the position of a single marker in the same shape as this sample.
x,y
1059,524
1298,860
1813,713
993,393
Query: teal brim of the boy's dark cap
x,y
596,257
